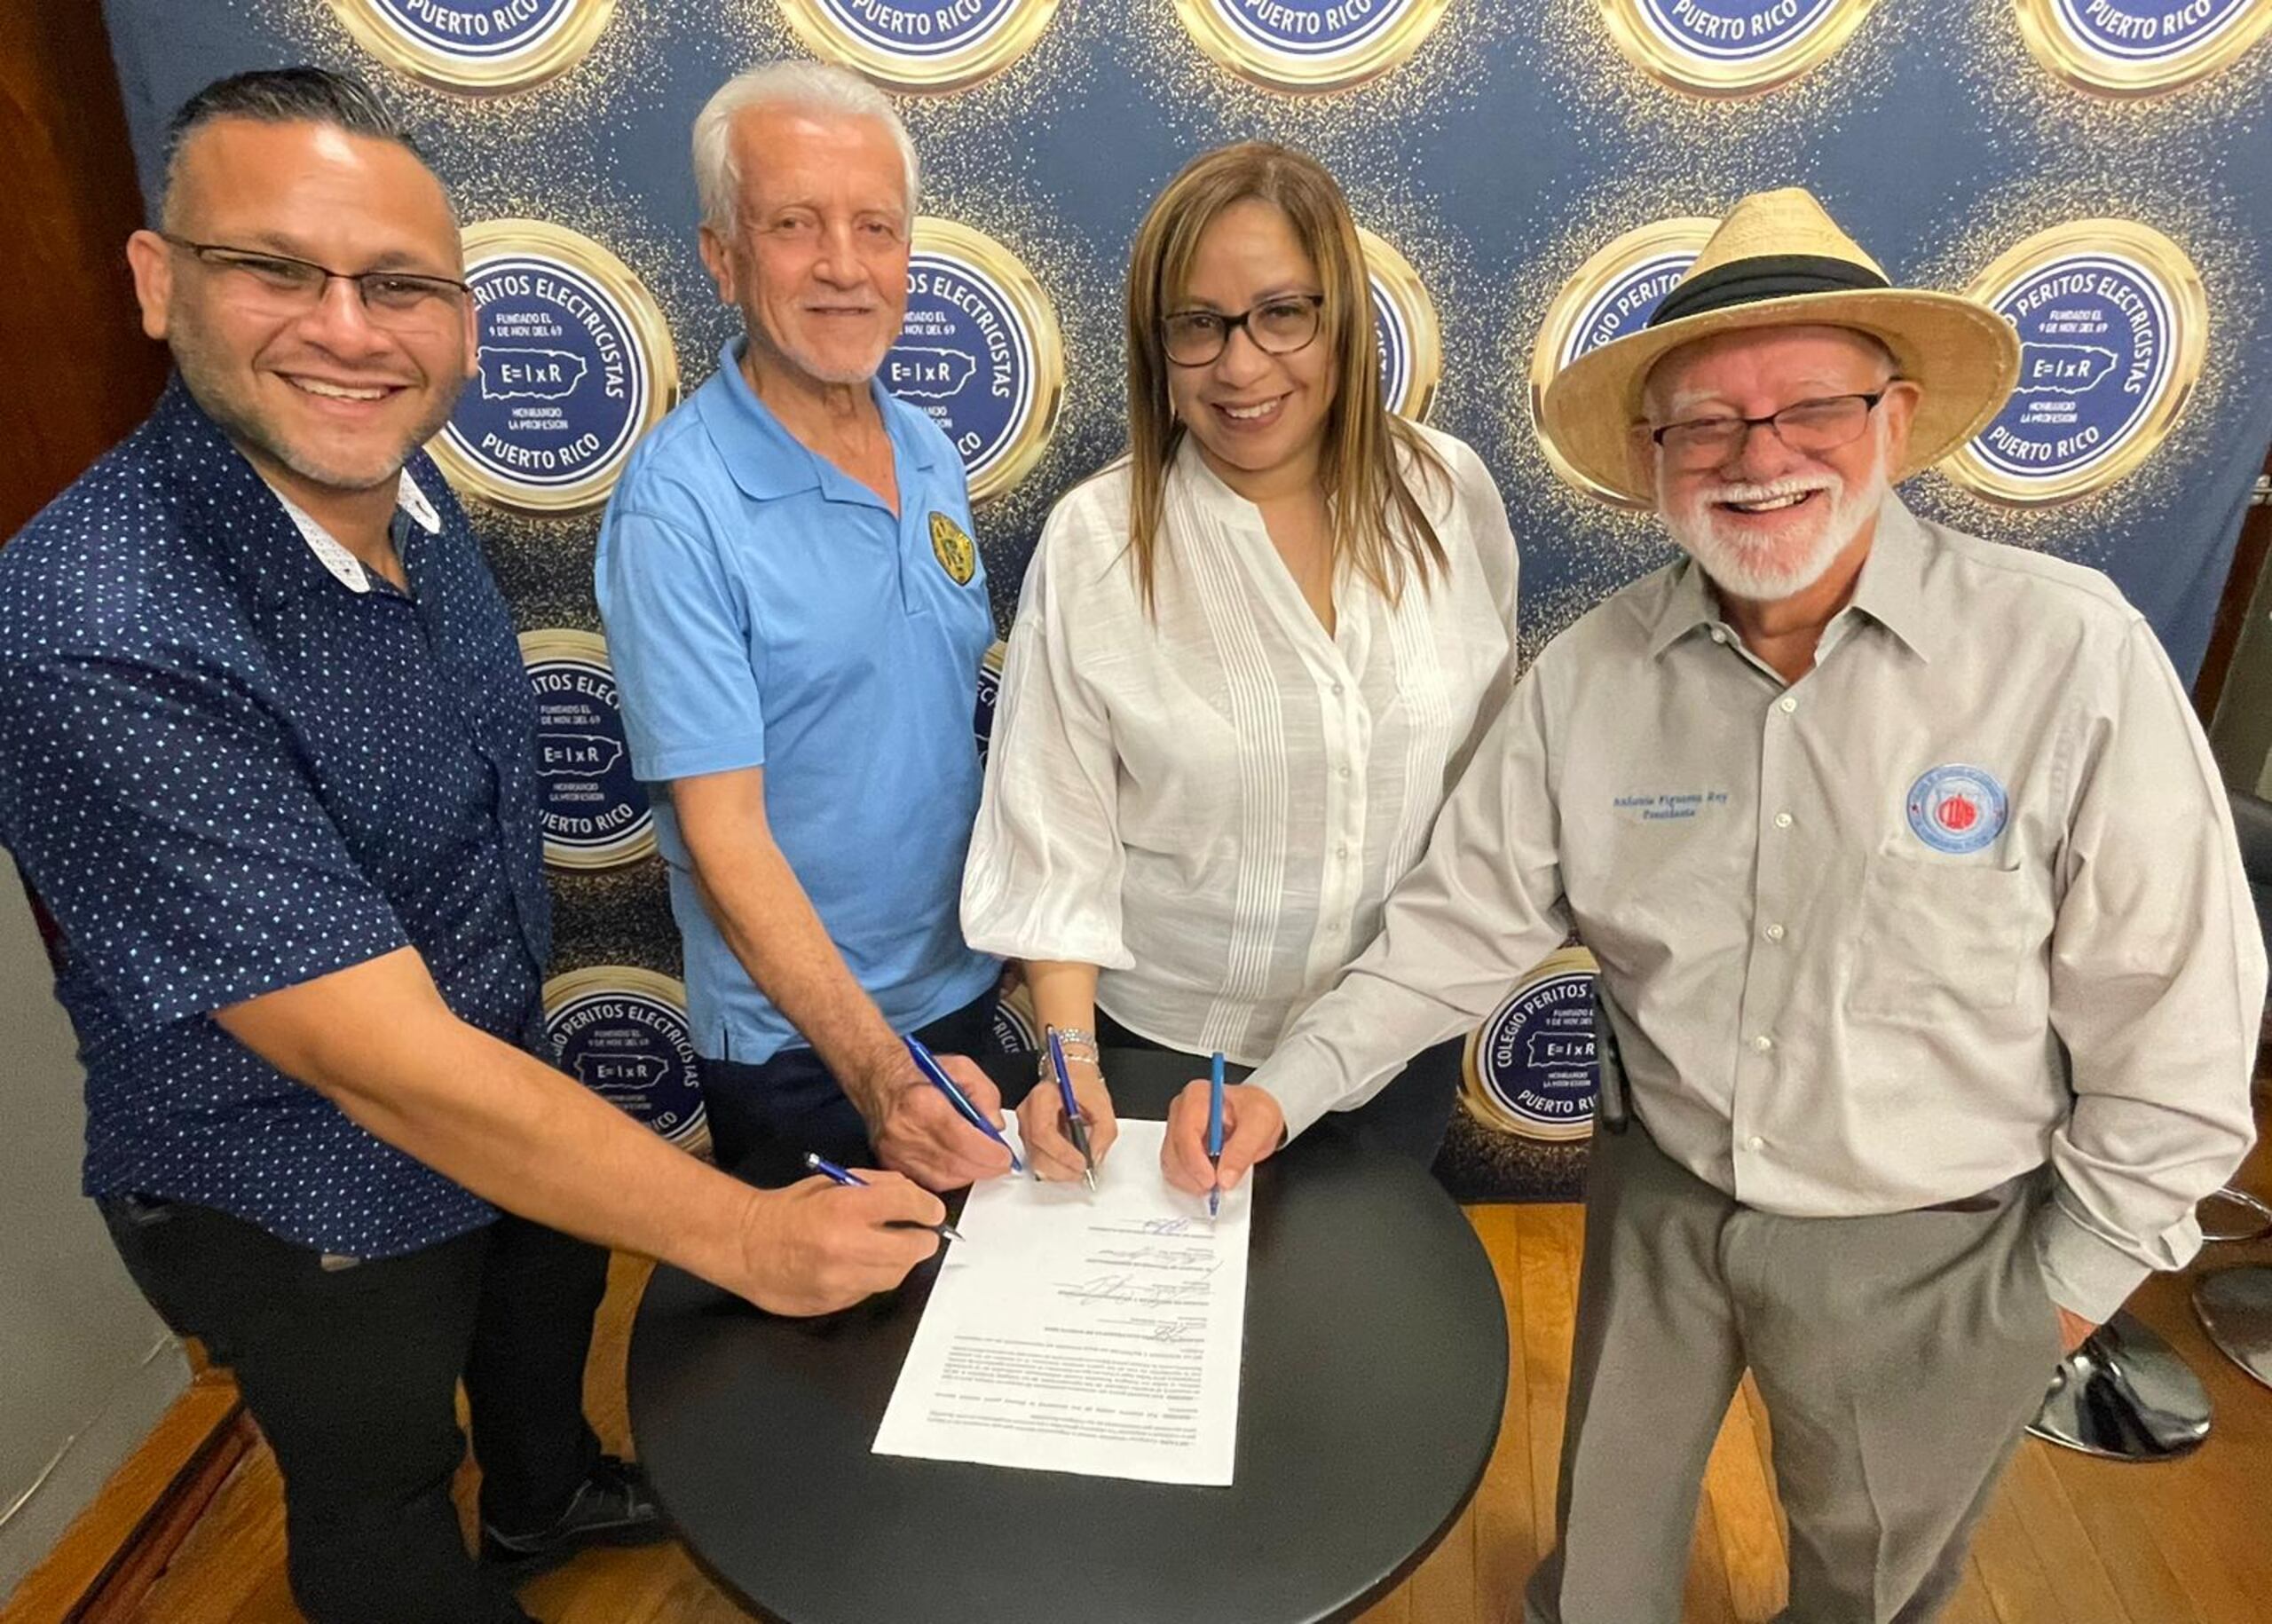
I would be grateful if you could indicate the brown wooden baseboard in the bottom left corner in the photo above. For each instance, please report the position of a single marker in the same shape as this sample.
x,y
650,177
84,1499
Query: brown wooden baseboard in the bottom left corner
x,y
122,1543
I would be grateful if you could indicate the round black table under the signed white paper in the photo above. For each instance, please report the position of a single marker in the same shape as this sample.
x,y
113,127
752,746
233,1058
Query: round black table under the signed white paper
x,y
1371,1393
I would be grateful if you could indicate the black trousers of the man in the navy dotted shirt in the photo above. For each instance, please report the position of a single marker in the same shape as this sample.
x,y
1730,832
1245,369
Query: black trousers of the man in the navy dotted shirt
x,y
353,1378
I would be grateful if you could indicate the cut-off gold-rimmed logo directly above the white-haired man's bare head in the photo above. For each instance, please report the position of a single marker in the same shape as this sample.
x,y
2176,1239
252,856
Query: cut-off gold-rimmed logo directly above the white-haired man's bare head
x,y
924,47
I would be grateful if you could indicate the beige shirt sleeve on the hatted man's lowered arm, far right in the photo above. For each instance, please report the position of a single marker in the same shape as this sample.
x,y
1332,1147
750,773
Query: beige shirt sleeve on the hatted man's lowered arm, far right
x,y
2157,991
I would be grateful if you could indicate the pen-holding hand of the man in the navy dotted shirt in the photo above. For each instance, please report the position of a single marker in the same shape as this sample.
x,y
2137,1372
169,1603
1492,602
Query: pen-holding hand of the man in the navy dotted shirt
x,y
817,1246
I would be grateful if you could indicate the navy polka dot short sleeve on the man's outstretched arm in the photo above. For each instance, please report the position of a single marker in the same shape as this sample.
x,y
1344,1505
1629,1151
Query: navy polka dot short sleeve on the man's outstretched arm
x,y
165,819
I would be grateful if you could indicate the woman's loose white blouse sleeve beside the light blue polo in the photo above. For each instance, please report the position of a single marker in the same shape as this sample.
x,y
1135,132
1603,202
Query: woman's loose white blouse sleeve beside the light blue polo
x,y
1046,862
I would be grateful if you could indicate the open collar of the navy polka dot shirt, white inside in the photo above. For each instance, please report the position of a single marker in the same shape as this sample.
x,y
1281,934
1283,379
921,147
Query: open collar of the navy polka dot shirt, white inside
x,y
247,521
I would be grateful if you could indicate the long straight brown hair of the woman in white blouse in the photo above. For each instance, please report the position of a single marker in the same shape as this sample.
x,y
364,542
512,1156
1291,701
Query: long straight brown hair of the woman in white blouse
x,y
1380,521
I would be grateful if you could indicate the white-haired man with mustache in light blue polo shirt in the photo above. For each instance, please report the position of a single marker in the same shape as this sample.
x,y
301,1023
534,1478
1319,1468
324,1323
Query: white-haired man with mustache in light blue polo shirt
x,y
796,614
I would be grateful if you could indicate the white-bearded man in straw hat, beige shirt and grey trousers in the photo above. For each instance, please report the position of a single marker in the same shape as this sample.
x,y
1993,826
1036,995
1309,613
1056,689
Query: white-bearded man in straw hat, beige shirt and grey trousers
x,y
1921,923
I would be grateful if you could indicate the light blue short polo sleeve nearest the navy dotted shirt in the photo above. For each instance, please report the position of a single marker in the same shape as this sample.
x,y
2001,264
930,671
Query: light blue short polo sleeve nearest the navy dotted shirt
x,y
680,639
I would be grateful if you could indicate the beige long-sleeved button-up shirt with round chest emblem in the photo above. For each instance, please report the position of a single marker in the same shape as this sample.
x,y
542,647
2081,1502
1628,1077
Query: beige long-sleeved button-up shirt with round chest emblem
x,y
1960,903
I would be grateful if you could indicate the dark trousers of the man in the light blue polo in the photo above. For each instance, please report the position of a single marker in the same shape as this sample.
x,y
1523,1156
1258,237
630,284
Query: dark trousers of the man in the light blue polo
x,y
765,1119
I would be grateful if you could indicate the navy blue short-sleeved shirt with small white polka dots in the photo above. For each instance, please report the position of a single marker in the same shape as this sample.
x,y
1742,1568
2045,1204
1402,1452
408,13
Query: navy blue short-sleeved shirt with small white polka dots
x,y
226,773
